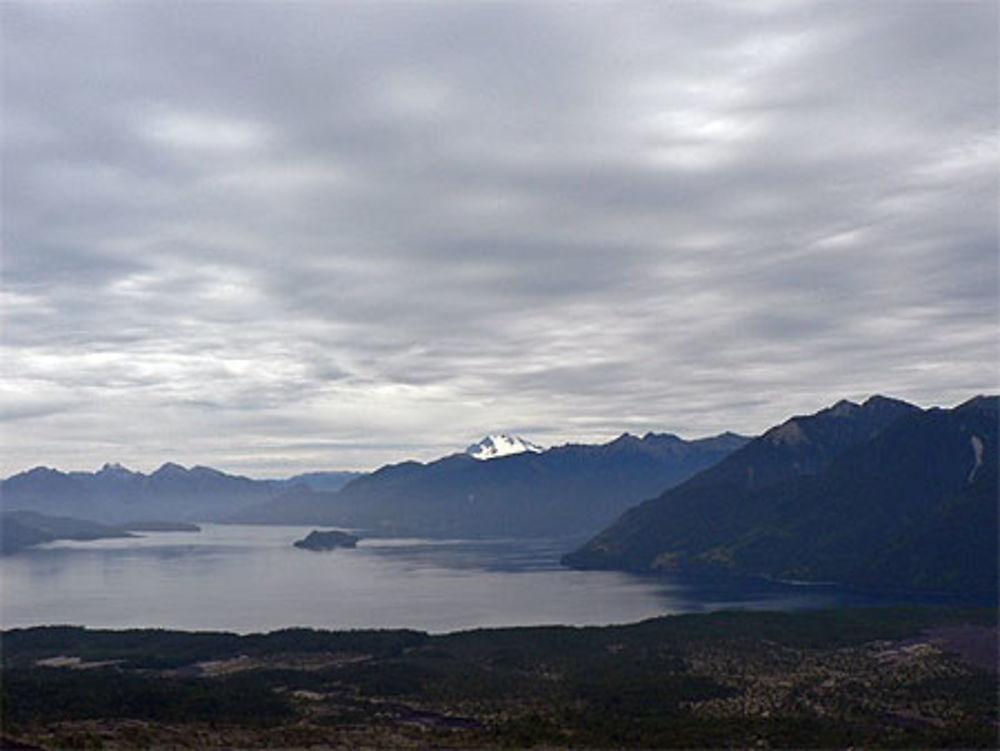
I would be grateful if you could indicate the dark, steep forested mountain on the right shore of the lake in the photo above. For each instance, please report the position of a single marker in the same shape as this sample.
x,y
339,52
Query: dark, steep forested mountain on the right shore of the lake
x,y
879,494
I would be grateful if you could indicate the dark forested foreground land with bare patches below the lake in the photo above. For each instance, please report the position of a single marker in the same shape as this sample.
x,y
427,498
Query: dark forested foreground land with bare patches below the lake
x,y
896,677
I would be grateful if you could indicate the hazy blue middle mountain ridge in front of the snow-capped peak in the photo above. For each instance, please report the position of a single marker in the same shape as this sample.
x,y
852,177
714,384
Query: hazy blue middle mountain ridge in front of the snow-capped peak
x,y
571,489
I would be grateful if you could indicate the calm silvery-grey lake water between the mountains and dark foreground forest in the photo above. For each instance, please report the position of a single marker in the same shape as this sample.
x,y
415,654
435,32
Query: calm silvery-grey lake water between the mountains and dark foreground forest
x,y
250,578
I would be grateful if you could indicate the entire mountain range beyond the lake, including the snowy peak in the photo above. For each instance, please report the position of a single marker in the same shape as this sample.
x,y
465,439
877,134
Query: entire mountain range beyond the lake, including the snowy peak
x,y
880,494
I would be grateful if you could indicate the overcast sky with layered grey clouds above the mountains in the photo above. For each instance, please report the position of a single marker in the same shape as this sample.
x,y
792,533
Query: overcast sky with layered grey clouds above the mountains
x,y
280,236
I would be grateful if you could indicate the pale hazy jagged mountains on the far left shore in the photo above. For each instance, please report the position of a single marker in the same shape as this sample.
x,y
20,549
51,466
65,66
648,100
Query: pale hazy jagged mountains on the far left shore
x,y
115,494
